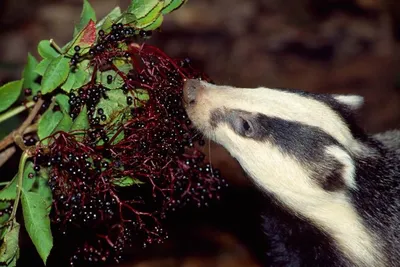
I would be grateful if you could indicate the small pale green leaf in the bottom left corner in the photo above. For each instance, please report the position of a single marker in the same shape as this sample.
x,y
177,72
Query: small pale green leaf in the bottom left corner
x,y
9,248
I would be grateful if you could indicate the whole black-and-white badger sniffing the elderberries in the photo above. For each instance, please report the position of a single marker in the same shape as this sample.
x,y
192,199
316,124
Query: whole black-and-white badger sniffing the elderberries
x,y
333,189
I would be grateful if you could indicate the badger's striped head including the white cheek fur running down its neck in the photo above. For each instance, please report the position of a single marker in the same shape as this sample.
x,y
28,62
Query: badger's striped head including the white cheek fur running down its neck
x,y
299,147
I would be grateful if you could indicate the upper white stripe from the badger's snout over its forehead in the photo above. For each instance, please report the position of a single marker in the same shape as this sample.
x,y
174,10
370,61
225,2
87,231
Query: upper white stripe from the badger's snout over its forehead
x,y
276,103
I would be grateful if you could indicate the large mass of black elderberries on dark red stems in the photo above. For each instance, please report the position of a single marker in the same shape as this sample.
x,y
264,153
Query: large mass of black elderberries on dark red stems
x,y
108,195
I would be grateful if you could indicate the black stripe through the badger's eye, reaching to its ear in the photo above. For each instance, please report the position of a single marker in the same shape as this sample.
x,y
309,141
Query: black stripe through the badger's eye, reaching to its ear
x,y
304,142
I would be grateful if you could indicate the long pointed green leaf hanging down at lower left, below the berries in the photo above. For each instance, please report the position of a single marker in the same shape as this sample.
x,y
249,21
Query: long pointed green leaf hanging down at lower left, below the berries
x,y
36,211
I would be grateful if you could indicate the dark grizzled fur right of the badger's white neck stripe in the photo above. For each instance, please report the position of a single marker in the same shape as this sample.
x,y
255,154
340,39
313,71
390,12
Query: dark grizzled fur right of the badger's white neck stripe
x,y
378,197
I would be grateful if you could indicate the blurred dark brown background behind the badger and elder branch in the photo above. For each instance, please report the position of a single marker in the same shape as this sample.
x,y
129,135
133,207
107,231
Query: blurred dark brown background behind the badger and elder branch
x,y
330,46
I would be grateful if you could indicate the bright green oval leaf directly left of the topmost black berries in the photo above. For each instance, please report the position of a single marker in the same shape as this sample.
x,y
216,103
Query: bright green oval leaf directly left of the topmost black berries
x,y
56,73
